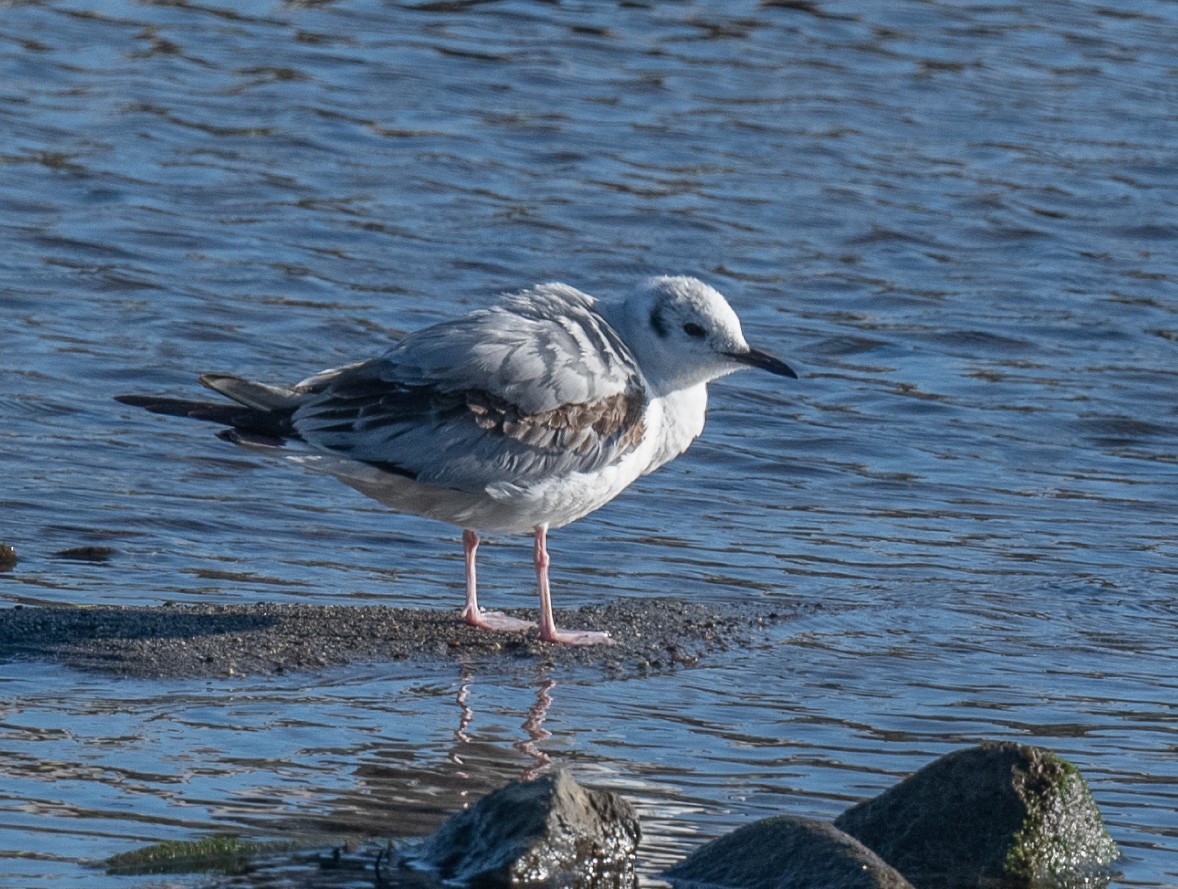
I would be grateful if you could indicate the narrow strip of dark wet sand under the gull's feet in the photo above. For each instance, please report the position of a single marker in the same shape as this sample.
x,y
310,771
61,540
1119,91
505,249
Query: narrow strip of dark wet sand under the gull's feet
x,y
266,639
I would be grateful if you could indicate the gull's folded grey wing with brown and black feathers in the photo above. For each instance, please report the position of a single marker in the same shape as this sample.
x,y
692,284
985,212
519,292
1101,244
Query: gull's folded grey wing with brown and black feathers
x,y
537,387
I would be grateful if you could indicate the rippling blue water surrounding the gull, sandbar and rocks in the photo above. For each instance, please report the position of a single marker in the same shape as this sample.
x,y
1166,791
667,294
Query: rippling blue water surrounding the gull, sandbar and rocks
x,y
958,221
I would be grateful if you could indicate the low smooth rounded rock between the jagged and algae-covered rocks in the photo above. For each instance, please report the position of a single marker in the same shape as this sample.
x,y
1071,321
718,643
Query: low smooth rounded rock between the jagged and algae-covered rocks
x,y
786,853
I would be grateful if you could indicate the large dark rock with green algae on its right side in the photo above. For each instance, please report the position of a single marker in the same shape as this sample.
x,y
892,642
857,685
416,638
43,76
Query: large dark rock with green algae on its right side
x,y
1001,814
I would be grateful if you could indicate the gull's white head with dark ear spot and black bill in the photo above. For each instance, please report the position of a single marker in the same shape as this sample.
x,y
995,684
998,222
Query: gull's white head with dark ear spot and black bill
x,y
684,334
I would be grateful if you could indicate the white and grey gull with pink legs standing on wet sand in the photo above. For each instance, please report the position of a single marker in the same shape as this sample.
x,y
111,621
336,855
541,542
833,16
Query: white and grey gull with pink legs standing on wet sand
x,y
521,417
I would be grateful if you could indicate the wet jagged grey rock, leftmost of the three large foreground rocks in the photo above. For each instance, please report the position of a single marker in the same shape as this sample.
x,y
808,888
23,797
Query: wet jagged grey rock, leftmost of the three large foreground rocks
x,y
545,833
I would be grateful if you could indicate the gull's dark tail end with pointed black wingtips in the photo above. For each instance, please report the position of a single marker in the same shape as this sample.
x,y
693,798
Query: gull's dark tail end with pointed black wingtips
x,y
262,415
